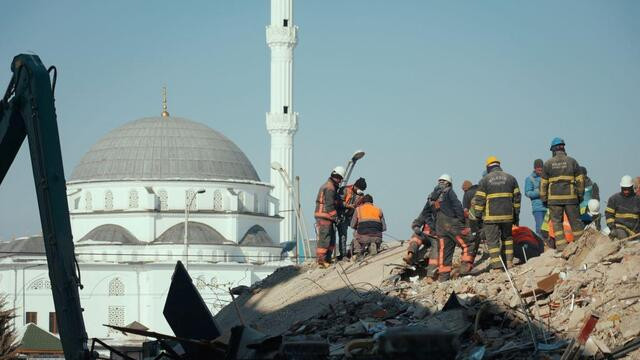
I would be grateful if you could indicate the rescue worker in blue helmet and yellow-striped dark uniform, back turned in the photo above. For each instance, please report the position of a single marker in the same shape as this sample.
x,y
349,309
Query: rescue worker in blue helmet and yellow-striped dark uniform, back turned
x,y
561,190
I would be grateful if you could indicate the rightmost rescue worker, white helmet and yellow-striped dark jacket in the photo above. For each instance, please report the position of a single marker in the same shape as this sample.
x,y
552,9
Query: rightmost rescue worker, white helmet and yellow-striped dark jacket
x,y
623,211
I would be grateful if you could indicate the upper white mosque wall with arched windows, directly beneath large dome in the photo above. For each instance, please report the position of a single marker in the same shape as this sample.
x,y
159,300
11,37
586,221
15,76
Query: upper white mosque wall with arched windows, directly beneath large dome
x,y
148,209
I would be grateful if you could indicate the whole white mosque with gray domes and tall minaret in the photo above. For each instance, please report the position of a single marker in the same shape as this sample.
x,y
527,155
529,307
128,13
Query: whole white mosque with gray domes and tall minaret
x,y
161,189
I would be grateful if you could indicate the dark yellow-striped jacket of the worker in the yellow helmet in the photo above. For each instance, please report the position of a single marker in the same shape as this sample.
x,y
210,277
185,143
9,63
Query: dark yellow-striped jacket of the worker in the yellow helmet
x,y
497,198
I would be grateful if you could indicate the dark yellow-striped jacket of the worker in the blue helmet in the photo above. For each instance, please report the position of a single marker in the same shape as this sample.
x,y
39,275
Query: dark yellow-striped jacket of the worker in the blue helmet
x,y
562,181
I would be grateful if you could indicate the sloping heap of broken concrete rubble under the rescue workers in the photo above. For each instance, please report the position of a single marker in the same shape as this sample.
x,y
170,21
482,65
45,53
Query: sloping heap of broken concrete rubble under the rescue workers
x,y
364,309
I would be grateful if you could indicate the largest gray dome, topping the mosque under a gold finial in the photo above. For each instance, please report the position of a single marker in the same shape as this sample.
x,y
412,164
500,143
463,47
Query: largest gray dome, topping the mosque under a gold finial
x,y
164,148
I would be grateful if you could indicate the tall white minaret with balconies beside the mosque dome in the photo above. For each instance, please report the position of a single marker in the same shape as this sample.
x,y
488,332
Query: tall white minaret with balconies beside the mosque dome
x,y
282,121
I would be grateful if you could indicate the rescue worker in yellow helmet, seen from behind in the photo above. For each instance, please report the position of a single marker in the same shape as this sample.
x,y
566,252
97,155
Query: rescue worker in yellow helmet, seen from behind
x,y
497,204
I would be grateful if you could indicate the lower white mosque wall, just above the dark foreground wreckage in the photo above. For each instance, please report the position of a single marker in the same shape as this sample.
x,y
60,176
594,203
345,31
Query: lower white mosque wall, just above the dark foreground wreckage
x,y
121,293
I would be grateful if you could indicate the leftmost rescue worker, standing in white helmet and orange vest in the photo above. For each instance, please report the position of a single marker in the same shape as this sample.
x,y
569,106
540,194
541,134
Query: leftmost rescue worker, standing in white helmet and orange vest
x,y
326,212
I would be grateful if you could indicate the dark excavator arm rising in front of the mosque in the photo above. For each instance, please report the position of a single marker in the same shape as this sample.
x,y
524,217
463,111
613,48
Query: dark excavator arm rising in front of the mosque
x,y
27,110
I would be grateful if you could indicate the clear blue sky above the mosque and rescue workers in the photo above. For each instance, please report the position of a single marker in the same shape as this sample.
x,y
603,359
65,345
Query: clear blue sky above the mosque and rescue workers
x,y
424,87
